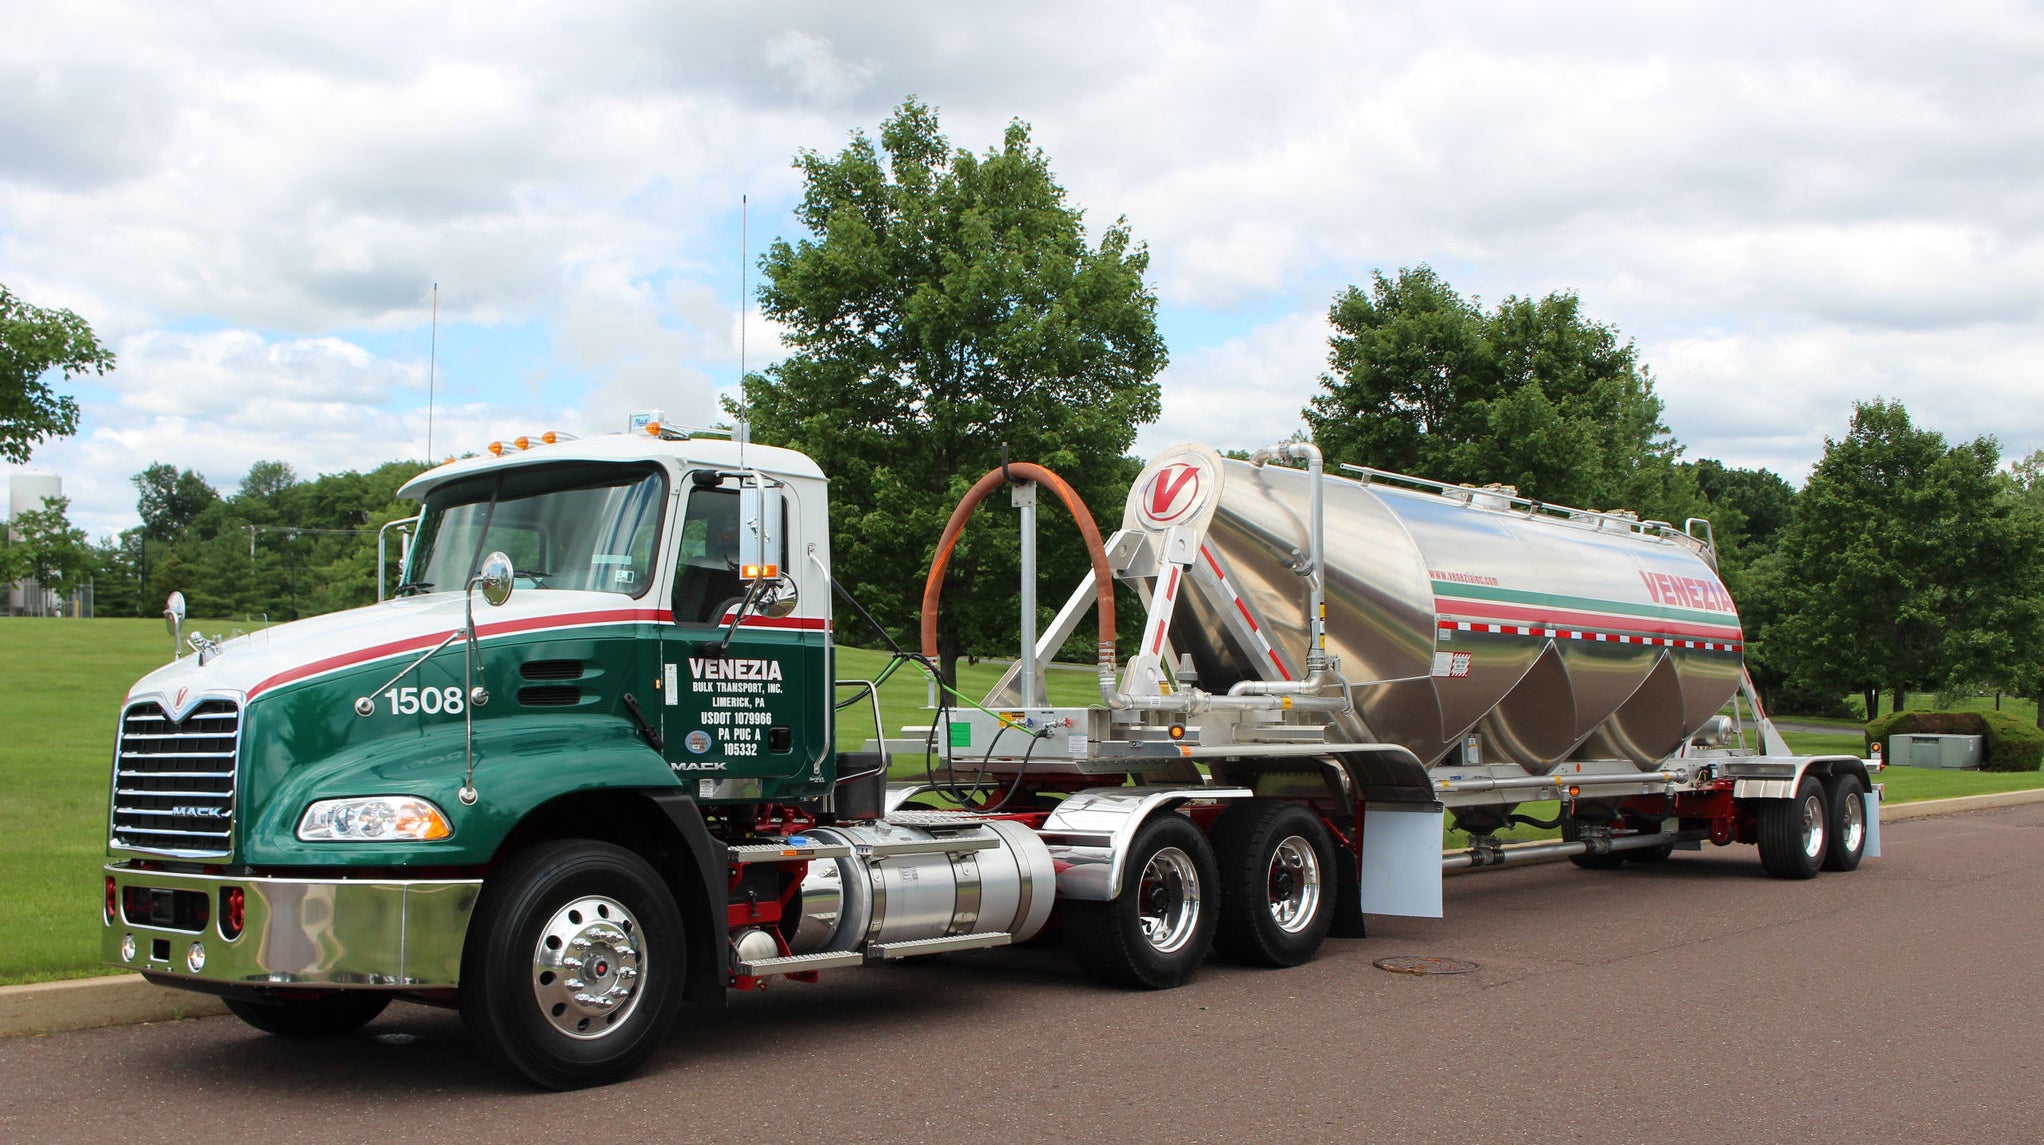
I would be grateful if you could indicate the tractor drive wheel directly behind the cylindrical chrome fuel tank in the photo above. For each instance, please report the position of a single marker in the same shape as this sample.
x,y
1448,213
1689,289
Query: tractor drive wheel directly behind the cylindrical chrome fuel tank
x,y
1160,927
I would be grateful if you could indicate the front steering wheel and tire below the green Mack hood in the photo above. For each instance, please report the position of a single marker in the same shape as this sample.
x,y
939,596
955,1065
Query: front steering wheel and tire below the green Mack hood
x,y
520,999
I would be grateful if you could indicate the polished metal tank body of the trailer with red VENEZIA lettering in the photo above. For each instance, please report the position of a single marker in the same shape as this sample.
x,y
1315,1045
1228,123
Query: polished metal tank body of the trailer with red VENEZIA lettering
x,y
1454,612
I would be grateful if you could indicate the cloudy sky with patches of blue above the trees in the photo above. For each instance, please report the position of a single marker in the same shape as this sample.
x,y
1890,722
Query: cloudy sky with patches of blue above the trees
x,y
1787,205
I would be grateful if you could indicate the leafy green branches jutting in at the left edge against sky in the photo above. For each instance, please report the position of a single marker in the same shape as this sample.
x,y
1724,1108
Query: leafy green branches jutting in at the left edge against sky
x,y
34,342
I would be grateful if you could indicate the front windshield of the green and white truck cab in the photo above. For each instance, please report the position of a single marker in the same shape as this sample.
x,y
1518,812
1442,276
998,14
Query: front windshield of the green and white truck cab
x,y
569,526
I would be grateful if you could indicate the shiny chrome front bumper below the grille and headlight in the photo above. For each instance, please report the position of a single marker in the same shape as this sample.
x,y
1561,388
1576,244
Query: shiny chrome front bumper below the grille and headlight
x,y
295,933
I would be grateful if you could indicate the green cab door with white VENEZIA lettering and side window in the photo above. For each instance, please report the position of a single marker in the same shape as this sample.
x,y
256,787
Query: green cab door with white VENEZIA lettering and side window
x,y
739,702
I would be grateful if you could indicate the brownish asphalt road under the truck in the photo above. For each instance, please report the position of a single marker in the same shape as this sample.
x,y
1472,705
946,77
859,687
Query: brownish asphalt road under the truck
x,y
1698,1001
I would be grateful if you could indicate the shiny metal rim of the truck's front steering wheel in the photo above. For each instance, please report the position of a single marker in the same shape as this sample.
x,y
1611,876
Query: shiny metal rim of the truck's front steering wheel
x,y
586,968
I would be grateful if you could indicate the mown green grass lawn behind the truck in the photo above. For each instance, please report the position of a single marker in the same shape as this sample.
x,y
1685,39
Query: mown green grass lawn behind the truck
x,y
62,688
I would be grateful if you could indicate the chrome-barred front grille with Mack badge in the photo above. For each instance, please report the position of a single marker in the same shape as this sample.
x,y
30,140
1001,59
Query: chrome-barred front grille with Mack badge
x,y
175,780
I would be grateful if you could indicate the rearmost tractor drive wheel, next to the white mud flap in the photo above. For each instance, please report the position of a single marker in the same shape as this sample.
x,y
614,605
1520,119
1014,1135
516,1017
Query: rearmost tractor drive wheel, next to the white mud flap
x,y
1276,882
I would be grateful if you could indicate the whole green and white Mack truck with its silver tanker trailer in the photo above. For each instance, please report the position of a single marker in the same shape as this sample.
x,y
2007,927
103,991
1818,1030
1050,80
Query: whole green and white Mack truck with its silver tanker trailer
x,y
616,786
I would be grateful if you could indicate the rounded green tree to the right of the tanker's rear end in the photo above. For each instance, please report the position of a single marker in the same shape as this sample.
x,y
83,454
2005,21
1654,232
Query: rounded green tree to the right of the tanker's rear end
x,y
1898,563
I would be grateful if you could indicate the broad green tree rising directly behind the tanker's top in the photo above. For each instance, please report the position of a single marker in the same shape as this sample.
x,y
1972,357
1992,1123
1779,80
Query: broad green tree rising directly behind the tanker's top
x,y
1530,394
